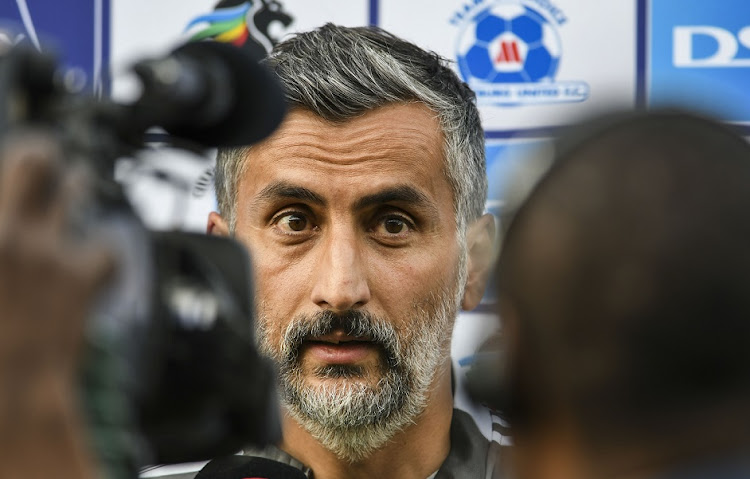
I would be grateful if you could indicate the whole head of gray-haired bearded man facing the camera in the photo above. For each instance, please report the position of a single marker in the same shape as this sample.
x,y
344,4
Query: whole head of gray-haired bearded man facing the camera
x,y
359,213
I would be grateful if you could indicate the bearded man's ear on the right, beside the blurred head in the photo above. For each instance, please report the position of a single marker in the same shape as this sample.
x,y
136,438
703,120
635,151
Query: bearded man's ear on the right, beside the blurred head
x,y
480,243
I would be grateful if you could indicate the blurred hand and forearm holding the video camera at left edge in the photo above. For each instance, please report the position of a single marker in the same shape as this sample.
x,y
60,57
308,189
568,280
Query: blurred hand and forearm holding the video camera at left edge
x,y
47,283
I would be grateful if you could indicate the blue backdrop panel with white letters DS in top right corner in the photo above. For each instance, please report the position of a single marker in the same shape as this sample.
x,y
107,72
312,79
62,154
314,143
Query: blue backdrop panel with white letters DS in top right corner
x,y
699,56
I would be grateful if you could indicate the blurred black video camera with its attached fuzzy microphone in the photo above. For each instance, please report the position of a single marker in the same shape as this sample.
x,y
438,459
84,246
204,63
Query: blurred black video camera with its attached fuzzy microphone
x,y
170,371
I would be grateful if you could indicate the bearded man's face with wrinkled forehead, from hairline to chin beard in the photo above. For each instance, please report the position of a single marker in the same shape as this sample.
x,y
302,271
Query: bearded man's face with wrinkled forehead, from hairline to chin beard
x,y
357,261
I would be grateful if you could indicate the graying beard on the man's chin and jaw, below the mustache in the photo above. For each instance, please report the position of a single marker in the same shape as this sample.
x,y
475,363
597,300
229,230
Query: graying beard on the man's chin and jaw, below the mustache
x,y
355,419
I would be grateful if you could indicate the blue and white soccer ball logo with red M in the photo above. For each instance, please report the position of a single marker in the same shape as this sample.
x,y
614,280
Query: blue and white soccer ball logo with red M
x,y
509,43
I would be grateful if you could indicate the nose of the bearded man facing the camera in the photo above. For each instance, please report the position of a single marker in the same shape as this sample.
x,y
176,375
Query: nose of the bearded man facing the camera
x,y
341,282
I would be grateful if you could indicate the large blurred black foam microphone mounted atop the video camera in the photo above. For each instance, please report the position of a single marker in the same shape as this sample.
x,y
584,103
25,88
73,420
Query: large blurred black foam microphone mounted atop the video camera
x,y
213,93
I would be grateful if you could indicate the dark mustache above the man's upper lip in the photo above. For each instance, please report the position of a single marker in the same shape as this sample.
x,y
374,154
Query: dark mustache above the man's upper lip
x,y
355,323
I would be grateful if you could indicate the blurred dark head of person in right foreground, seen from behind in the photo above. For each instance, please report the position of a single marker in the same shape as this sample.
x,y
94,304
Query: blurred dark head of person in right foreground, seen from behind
x,y
623,290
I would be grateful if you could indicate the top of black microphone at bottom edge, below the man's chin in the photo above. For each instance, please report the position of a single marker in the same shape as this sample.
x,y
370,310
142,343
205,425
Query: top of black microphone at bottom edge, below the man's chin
x,y
248,467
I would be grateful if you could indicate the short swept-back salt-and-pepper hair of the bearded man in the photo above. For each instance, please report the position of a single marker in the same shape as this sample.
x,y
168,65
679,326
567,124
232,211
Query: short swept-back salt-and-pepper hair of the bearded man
x,y
341,72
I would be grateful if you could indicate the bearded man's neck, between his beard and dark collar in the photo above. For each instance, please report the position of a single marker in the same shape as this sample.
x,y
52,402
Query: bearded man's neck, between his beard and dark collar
x,y
414,453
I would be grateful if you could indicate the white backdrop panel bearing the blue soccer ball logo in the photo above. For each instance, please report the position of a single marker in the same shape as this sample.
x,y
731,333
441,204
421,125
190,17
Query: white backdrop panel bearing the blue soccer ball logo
x,y
532,63
